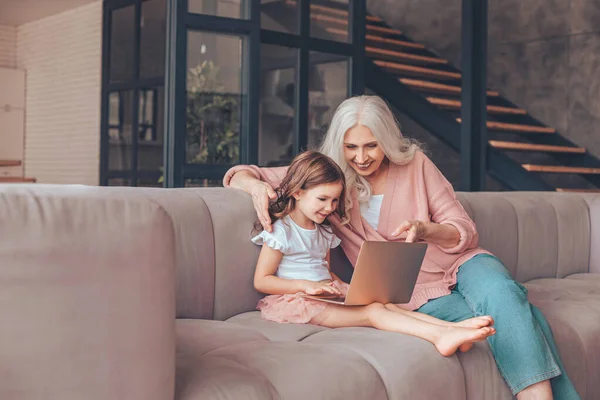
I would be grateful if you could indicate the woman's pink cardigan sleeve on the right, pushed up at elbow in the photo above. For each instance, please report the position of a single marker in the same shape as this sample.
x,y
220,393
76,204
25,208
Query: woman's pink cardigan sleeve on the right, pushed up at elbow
x,y
445,208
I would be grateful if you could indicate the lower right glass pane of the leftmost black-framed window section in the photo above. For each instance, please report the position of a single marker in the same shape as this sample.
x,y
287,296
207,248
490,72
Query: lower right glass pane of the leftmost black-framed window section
x,y
150,129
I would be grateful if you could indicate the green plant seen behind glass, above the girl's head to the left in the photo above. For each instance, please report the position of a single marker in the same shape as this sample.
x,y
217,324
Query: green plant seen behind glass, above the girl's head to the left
x,y
212,118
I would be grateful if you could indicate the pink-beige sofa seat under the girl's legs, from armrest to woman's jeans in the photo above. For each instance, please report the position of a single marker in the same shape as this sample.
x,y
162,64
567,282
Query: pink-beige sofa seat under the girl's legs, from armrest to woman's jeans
x,y
264,360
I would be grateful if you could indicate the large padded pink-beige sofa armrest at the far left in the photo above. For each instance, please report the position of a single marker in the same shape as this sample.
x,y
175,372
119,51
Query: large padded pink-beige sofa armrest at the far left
x,y
86,295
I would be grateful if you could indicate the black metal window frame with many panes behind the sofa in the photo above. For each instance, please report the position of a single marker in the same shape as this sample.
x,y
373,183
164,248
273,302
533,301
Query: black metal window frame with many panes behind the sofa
x,y
179,21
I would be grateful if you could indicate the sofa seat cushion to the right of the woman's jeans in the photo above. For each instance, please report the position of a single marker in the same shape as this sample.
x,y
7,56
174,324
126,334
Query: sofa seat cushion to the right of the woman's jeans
x,y
572,308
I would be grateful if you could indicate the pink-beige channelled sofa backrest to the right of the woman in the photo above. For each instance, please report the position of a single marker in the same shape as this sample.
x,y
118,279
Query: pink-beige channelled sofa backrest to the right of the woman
x,y
536,235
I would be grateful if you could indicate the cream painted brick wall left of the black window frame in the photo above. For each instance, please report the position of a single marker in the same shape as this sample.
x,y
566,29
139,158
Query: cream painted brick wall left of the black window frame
x,y
62,57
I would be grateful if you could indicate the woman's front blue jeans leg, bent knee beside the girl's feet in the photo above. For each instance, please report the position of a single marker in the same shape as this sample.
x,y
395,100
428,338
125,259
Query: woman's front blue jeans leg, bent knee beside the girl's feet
x,y
520,347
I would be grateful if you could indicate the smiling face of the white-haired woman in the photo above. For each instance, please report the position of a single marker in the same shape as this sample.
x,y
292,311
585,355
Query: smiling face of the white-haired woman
x,y
361,150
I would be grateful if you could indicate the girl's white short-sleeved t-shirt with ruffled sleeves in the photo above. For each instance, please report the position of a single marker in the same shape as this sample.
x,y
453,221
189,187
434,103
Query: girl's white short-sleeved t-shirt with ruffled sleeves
x,y
304,250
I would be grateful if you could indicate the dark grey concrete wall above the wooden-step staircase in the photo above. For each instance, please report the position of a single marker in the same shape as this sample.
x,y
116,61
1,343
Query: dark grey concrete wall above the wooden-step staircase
x,y
543,55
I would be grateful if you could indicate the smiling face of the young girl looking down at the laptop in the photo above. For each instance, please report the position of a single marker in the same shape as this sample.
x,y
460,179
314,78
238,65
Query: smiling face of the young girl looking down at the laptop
x,y
315,204
